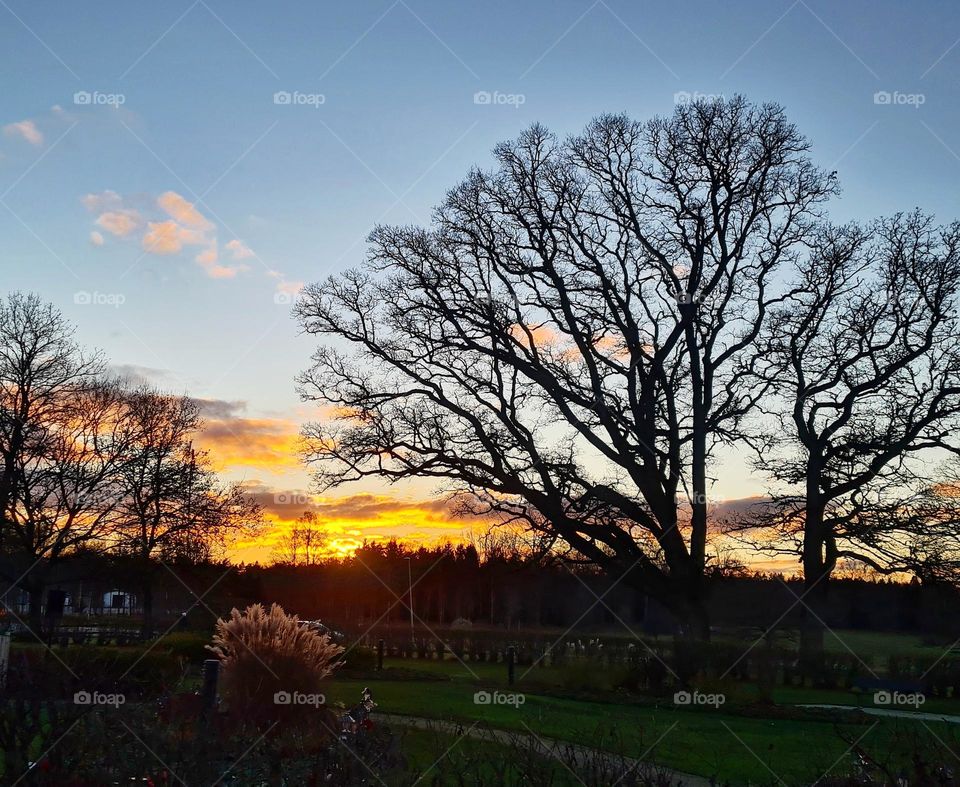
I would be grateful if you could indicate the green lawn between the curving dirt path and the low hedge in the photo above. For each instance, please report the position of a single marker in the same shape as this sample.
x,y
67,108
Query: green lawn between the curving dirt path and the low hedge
x,y
731,743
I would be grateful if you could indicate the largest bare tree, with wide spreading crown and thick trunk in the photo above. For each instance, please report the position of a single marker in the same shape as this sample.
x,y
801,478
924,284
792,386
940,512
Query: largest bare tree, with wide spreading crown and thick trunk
x,y
568,341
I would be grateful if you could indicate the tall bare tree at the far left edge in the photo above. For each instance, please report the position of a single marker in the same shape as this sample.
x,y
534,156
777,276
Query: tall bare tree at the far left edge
x,y
61,438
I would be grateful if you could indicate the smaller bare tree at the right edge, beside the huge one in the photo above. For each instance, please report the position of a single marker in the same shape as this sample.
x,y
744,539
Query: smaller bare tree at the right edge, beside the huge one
x,y
864,360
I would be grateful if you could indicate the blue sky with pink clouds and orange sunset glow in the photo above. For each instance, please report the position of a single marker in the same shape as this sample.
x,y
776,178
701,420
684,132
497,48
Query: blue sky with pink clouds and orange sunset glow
x,y
172,173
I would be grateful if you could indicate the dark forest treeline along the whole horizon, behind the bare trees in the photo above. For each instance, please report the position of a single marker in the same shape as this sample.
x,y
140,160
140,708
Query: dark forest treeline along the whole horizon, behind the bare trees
x,y
461,586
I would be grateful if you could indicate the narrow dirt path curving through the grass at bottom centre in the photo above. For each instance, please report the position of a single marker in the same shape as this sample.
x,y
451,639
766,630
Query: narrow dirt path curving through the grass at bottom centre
x,y
563,751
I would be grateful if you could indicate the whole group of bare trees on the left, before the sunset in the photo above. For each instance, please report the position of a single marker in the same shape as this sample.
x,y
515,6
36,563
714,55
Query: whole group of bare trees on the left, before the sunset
x,y
94,465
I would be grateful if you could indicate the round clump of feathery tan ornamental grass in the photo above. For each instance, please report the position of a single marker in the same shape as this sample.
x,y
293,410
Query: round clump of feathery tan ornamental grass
x,y
272,666
